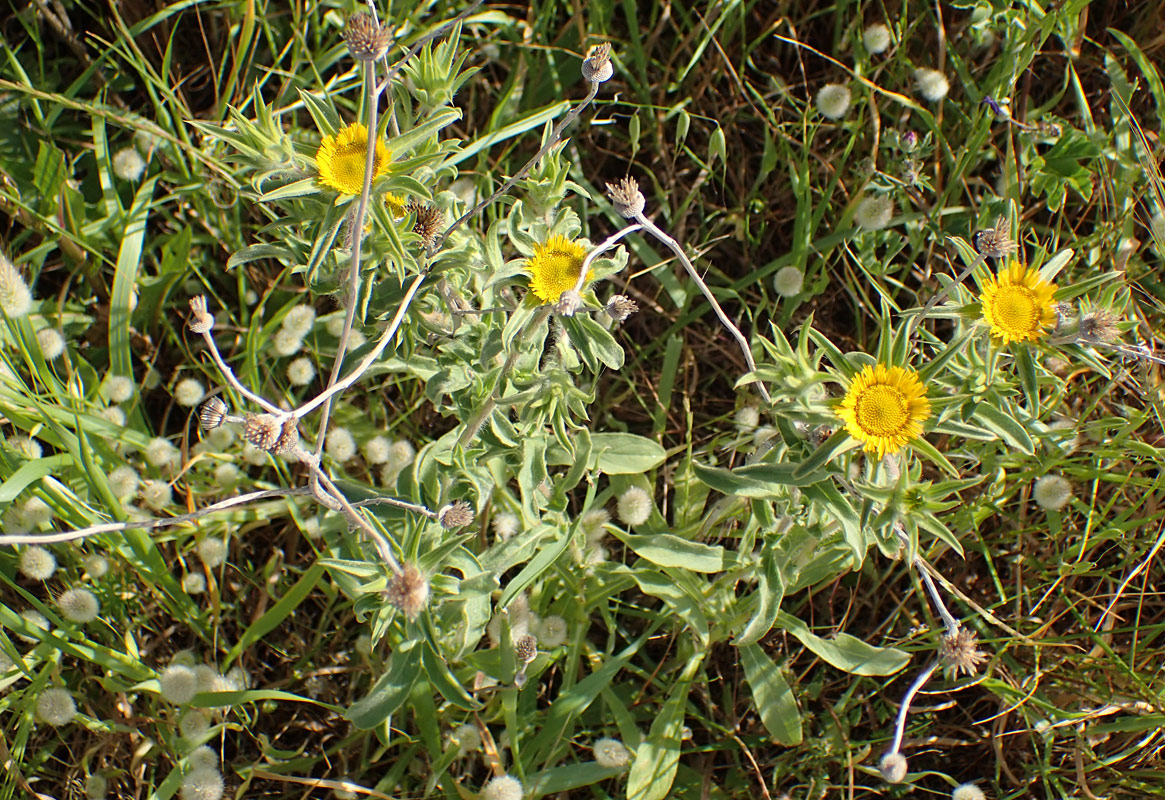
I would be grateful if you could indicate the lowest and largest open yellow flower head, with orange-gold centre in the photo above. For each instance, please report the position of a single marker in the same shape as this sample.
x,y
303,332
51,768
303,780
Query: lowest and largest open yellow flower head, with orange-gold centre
x,y
885,408
